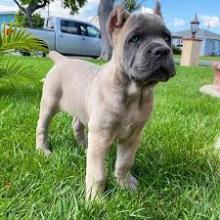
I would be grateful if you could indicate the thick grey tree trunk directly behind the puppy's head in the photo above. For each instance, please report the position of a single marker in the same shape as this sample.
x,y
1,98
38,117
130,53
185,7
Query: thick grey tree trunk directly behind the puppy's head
x,y
105,8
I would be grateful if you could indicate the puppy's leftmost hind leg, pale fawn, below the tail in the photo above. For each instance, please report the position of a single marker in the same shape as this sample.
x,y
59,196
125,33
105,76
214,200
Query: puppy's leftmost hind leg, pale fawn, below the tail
x,y
48,109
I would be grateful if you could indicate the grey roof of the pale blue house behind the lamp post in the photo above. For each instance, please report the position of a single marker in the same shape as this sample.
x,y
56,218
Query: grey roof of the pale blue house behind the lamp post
x,y
202,33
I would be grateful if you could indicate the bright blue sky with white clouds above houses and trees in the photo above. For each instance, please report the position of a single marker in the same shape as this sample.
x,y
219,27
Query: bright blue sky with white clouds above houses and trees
x,y
177,13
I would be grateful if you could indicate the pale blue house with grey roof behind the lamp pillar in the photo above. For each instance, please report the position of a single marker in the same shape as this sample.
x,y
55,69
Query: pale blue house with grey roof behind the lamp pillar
x,y
210,41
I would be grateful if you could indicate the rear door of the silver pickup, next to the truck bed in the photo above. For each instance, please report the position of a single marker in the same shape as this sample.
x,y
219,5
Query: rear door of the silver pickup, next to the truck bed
x,y
69,39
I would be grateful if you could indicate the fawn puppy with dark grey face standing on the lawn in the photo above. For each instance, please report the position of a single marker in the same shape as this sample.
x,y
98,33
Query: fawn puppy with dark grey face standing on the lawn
x,y
113,101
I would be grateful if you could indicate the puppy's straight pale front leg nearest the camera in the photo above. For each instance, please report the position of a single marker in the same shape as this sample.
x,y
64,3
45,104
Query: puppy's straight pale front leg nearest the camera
x,y
98,145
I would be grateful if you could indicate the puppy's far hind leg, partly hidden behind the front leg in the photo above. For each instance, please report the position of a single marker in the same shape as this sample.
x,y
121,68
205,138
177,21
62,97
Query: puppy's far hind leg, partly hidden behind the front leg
x,y
79,132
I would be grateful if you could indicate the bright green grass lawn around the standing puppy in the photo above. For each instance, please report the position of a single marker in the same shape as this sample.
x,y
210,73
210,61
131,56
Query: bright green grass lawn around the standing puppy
x,y
177,168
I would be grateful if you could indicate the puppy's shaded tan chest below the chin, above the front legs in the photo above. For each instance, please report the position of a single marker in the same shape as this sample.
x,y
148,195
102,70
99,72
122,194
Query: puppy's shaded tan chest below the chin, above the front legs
x,y
132,110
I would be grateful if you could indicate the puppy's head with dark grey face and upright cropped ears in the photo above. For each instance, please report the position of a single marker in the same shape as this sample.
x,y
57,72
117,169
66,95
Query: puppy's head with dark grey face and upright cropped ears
x,y
142,45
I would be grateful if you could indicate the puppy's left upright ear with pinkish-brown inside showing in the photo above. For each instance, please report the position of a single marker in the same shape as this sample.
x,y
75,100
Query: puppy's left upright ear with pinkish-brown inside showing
x,y
117,19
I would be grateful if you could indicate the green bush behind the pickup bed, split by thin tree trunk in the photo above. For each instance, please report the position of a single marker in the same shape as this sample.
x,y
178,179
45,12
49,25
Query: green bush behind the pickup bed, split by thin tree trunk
x,y
21,20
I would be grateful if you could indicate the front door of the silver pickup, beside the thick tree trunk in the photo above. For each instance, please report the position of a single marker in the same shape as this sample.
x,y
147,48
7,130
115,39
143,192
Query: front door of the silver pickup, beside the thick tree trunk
x,y
92,40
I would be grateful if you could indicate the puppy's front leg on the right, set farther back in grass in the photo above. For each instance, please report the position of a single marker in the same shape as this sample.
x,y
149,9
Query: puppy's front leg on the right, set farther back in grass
x,y
126,151
